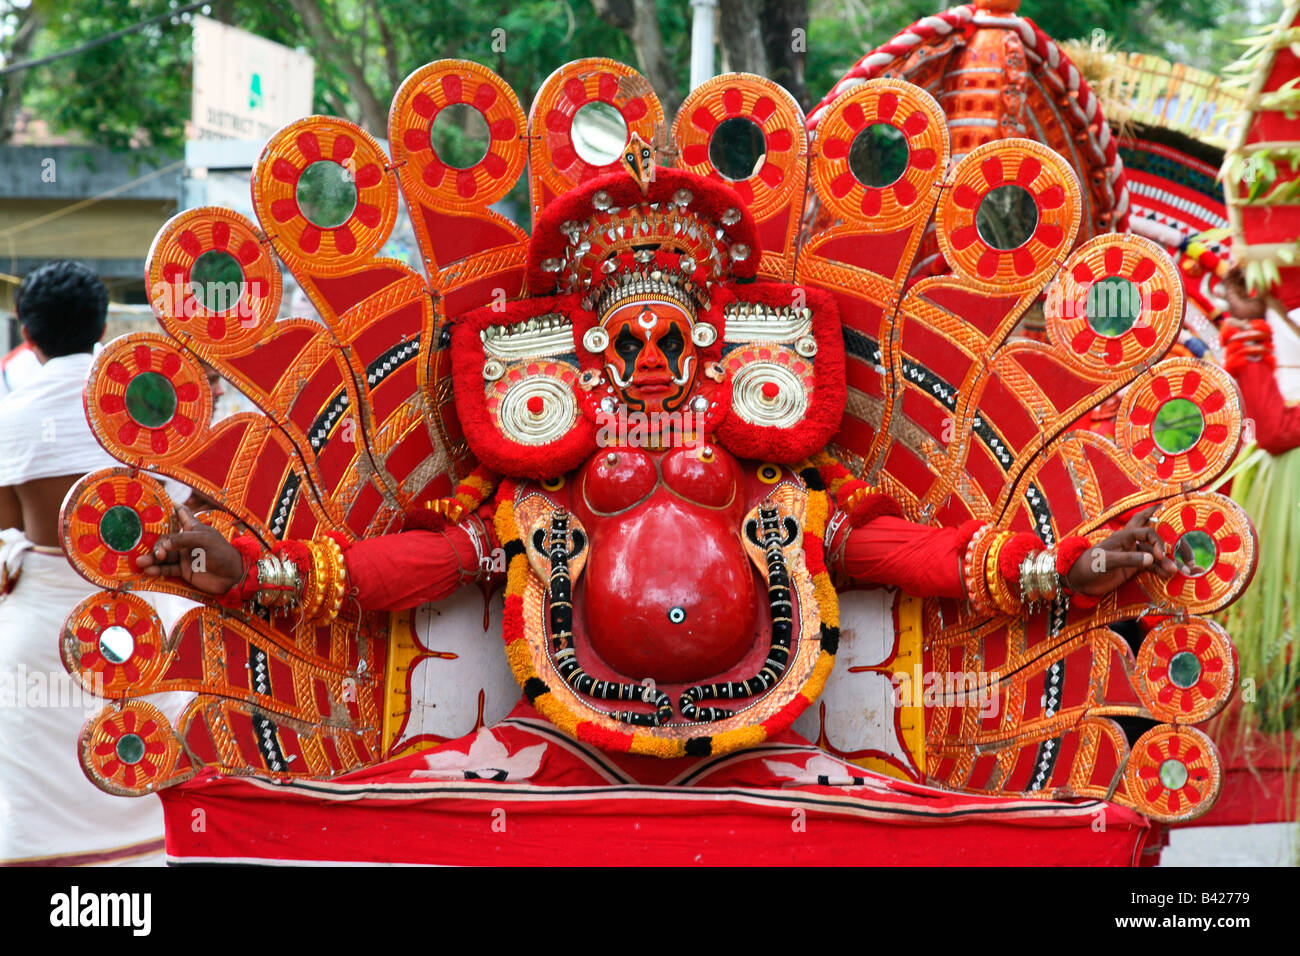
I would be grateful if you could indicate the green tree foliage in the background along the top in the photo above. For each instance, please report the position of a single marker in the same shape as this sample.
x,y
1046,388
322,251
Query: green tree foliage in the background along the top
x,y
135,92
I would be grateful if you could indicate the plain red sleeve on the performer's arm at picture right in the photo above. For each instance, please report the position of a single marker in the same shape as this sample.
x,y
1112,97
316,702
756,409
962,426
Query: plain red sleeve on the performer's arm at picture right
x,y
898,553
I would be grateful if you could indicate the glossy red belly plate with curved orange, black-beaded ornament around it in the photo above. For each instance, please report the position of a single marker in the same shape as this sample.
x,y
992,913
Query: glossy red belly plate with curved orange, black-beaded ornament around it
x,y
616,630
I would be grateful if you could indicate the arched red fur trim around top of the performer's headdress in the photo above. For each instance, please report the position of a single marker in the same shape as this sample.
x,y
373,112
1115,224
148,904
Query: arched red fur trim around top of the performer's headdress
x,y
710,201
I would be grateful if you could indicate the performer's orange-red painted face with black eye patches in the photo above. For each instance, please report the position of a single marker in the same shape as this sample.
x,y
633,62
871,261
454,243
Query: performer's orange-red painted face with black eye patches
x,y
651,358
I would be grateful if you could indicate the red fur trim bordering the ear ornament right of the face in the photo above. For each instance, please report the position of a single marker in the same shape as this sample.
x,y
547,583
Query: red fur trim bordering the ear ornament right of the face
x,y
826,409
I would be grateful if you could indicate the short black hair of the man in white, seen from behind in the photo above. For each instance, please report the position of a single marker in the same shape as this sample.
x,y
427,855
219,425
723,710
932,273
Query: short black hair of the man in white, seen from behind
x,y
64,308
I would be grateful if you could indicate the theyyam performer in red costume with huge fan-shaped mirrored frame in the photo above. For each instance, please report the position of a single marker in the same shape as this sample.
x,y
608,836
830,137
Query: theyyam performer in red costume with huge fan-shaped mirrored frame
x,y
674,429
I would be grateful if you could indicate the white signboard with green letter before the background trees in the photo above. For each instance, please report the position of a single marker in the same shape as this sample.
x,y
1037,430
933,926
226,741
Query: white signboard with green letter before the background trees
x,y
246,86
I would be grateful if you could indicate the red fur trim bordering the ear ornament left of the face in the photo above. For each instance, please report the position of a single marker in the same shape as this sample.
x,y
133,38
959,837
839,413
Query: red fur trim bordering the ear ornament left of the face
x,y
489,444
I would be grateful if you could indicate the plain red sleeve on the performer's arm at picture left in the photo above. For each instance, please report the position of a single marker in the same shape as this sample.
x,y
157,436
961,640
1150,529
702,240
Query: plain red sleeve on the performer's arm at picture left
x,y
398,572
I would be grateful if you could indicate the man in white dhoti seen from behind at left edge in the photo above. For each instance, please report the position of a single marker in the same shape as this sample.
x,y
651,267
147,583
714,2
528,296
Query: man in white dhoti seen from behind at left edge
x,y
50,814
